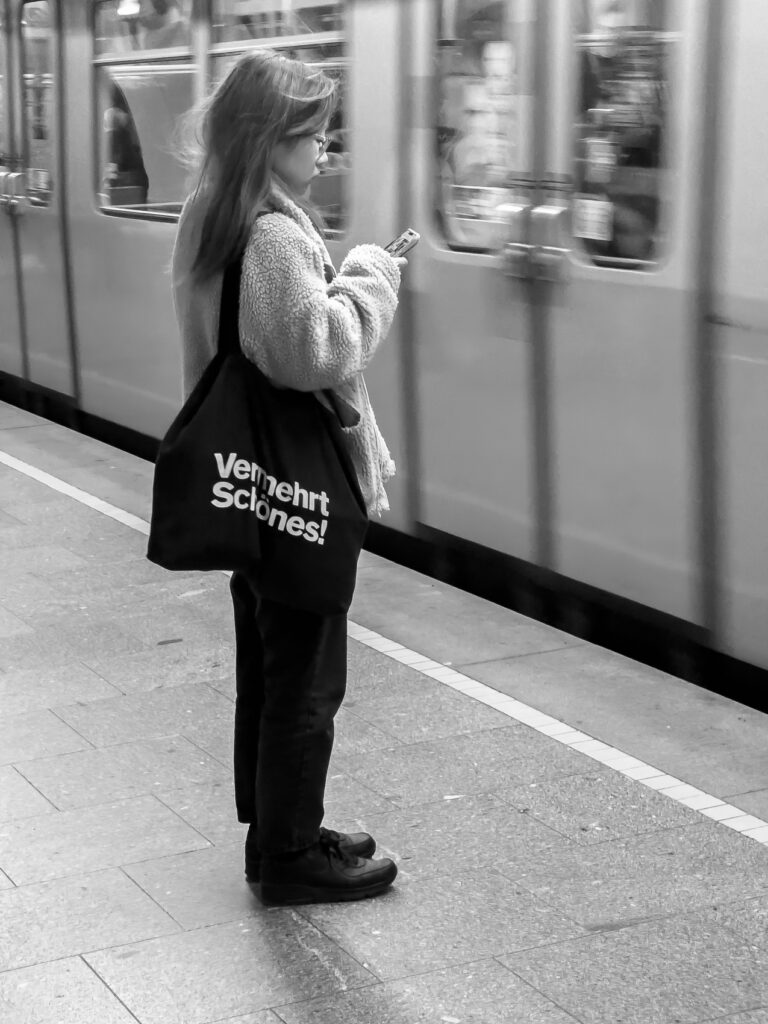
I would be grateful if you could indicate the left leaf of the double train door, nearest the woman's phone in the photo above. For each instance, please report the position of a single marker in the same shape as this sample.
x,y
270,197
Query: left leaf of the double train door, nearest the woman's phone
x,y
474,167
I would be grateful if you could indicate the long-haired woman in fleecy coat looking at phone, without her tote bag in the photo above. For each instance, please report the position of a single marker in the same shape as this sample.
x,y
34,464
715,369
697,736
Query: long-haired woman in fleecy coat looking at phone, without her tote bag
x,y
264,141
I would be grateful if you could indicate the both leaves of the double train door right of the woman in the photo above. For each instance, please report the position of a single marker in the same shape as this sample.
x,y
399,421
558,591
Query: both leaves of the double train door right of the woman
x,y
557,298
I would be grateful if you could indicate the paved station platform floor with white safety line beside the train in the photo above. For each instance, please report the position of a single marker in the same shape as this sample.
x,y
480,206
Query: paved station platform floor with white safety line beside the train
x,y
580,838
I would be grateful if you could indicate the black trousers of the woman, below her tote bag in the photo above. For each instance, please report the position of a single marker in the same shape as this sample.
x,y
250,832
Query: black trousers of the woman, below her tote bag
x,y
291,677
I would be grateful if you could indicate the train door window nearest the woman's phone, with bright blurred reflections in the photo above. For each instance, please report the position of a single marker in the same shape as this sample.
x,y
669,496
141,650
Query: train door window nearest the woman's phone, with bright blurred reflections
x,y
484,115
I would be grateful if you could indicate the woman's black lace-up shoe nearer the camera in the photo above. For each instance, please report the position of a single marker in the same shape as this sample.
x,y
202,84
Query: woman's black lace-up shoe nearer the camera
x,y
324,874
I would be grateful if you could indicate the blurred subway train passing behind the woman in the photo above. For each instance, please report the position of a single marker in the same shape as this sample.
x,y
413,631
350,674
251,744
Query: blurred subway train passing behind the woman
x,y
576,389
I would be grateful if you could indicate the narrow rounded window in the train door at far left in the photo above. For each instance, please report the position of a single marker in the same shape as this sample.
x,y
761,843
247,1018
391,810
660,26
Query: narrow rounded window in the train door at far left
x,y
37,55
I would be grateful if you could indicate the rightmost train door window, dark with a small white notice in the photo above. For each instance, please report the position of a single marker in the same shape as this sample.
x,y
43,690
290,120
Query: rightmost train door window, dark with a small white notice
x,y
622,121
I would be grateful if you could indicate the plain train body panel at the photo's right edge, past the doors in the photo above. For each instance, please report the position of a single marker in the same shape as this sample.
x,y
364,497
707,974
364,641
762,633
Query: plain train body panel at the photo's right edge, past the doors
x,y
741,320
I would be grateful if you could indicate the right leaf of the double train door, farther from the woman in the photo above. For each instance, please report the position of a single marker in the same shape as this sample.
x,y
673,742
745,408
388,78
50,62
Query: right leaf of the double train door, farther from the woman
x,y
625,109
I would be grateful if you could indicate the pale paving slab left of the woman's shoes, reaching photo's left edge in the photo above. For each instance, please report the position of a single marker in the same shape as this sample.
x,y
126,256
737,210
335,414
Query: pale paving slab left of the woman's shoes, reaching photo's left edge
x,y
69,843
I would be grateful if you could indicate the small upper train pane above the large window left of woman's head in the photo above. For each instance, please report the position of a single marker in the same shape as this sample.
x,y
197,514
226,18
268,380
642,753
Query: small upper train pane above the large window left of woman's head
x,y
135,26
